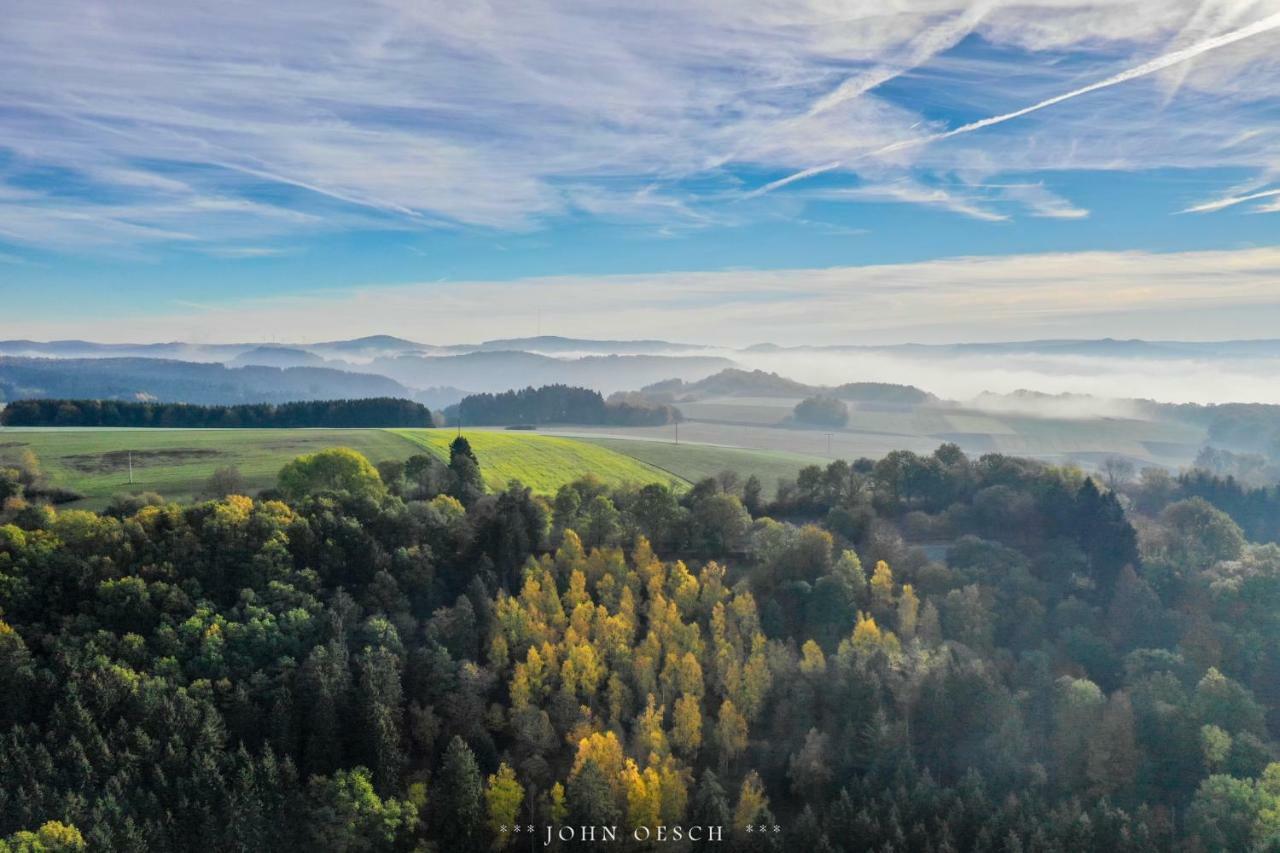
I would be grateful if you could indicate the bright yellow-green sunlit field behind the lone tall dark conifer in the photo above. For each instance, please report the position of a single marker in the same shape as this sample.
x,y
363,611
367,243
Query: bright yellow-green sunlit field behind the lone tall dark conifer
x,y
543,463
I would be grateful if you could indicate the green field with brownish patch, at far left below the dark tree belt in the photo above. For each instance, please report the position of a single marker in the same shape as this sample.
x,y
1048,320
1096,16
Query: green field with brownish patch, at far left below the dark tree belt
x,y
176,463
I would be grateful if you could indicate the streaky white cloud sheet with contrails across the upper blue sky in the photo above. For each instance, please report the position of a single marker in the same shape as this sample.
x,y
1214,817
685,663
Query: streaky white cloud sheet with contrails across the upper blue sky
x,y
508,116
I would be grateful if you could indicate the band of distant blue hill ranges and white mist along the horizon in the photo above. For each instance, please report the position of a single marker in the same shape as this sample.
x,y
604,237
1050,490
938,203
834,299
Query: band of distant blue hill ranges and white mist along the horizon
x,y
1176,372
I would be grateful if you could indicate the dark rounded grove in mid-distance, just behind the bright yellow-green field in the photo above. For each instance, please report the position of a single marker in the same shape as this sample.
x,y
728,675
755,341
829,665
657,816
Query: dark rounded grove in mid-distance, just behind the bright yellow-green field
x,y
557,405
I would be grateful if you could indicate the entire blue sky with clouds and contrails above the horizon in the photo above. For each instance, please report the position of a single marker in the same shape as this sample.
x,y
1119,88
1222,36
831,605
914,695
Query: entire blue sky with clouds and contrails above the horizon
x,y
725,172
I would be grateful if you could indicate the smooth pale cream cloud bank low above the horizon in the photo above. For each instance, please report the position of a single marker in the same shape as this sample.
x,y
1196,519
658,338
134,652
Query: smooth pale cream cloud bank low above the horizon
x,y
1188,295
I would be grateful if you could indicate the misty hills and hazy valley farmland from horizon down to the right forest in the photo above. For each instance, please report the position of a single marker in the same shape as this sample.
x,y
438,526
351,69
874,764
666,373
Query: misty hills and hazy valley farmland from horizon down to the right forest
x,y
1076,402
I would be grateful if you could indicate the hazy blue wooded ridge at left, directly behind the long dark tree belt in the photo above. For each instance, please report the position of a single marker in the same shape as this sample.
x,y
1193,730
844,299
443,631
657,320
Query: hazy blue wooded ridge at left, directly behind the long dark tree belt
x,y
184,382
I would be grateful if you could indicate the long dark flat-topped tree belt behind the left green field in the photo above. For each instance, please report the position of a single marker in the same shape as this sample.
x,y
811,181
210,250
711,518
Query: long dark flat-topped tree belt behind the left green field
x,y
372,413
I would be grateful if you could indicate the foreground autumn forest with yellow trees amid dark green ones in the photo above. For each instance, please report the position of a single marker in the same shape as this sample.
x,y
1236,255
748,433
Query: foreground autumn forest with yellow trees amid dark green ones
x,y
917,654
